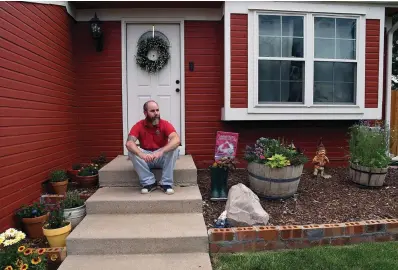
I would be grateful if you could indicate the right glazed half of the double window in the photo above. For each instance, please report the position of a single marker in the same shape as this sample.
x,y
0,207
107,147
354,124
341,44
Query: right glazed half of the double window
x,y
334,60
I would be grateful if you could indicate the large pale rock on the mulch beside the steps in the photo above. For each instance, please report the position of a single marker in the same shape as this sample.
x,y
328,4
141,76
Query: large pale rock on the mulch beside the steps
x,y
244,208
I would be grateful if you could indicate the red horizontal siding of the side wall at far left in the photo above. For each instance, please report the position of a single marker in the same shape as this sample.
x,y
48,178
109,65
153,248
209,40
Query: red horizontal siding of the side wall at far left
x,y
38,126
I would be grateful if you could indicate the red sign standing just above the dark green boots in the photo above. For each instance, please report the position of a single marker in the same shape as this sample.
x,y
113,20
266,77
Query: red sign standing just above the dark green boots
x,y
226,144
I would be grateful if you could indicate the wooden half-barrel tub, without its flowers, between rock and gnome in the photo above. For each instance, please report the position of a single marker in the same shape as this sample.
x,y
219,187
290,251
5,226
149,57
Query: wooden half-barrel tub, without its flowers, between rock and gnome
x,y
274,183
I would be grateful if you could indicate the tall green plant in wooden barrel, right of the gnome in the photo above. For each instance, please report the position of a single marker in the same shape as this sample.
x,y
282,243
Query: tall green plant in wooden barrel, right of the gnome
x,y
369,154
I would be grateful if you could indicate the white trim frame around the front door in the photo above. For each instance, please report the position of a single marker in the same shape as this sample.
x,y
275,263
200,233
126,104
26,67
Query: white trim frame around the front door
x,y
124,23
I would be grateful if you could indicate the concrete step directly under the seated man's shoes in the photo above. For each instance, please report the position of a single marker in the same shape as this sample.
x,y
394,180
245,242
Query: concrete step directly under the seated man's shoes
x,y
129,200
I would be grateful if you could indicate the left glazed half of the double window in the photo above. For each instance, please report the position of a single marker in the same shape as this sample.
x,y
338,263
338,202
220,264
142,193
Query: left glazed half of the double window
x,y
281,58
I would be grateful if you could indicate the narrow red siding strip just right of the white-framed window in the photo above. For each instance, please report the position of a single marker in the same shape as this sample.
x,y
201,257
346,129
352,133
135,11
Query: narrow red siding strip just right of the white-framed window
x,y
372,63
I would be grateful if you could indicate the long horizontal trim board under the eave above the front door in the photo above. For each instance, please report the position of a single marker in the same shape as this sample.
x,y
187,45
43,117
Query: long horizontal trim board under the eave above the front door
x,y
198,14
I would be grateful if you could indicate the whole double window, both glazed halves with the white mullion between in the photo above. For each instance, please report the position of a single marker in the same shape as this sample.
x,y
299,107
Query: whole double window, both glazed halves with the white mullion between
x,y
305,59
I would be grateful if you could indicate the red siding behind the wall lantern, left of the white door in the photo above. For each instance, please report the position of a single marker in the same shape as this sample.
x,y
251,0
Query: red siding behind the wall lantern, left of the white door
x,y
99,87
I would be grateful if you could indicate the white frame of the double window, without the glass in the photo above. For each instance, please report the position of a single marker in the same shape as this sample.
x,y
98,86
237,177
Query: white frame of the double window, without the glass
x,y
308,106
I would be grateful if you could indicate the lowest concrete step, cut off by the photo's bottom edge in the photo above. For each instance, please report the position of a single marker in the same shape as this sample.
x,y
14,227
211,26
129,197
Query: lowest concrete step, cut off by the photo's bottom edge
x,y
180,261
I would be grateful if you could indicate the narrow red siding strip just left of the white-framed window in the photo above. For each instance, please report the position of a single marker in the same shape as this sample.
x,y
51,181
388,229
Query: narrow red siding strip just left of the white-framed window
x,y
239,61
